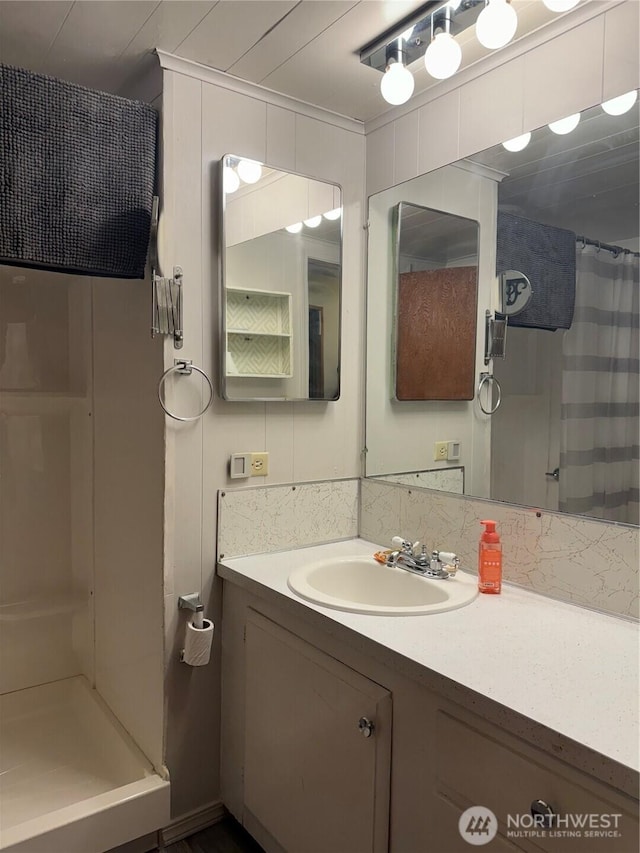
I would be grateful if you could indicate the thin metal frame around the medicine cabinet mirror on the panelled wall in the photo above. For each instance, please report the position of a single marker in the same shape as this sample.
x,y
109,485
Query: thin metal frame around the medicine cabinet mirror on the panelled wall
x,y
222,290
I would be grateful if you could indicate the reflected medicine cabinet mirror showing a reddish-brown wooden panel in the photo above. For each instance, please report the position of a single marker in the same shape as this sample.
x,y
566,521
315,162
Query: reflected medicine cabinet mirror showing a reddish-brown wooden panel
x,y
436,286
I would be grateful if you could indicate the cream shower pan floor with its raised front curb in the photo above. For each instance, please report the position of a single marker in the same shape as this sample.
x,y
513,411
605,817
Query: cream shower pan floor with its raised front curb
x,y
71,778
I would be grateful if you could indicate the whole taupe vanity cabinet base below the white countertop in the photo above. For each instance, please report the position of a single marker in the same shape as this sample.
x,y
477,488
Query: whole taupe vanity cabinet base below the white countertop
x,y
294,687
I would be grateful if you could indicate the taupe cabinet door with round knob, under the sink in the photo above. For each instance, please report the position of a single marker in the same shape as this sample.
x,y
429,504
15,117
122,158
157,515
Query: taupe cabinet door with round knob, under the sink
x,y
312,778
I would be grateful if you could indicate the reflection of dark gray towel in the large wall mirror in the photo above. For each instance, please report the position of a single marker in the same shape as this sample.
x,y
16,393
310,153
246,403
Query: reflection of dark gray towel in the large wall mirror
x,y
547,256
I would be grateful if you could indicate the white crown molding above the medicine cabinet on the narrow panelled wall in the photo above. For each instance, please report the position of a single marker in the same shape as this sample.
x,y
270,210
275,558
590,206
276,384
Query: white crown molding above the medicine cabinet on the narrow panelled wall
x,y
170,62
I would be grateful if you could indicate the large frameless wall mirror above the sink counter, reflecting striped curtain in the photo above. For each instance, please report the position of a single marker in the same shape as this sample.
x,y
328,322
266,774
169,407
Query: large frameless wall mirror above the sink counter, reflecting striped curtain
x,y
562,208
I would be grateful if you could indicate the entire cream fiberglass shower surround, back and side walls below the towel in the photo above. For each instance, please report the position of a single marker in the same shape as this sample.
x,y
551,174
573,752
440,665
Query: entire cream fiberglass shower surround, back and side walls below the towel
x,y
82,492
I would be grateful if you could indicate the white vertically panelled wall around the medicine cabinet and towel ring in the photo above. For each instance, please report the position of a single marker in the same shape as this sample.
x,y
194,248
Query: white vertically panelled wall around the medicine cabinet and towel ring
x,y
203,119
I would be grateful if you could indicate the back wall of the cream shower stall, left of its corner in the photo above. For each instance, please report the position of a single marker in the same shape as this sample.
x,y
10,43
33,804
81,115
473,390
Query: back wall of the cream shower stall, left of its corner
x,y
46,548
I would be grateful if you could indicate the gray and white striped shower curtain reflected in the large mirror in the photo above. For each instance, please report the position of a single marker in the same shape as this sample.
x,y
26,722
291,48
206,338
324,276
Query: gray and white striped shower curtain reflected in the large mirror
x,y
600,382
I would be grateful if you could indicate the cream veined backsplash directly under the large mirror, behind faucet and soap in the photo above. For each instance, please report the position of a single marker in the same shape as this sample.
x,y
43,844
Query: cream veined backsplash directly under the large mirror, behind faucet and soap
x,y
580,560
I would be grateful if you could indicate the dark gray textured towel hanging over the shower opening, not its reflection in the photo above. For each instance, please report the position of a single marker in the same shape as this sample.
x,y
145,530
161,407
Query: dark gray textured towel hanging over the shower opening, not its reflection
x,y
77,176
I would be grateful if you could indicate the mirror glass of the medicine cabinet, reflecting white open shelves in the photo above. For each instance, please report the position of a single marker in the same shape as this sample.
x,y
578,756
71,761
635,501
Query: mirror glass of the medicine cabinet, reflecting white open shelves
x,y
281,272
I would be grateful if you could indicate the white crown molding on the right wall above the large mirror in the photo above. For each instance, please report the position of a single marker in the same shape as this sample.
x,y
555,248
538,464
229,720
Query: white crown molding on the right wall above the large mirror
x,y
569,21
